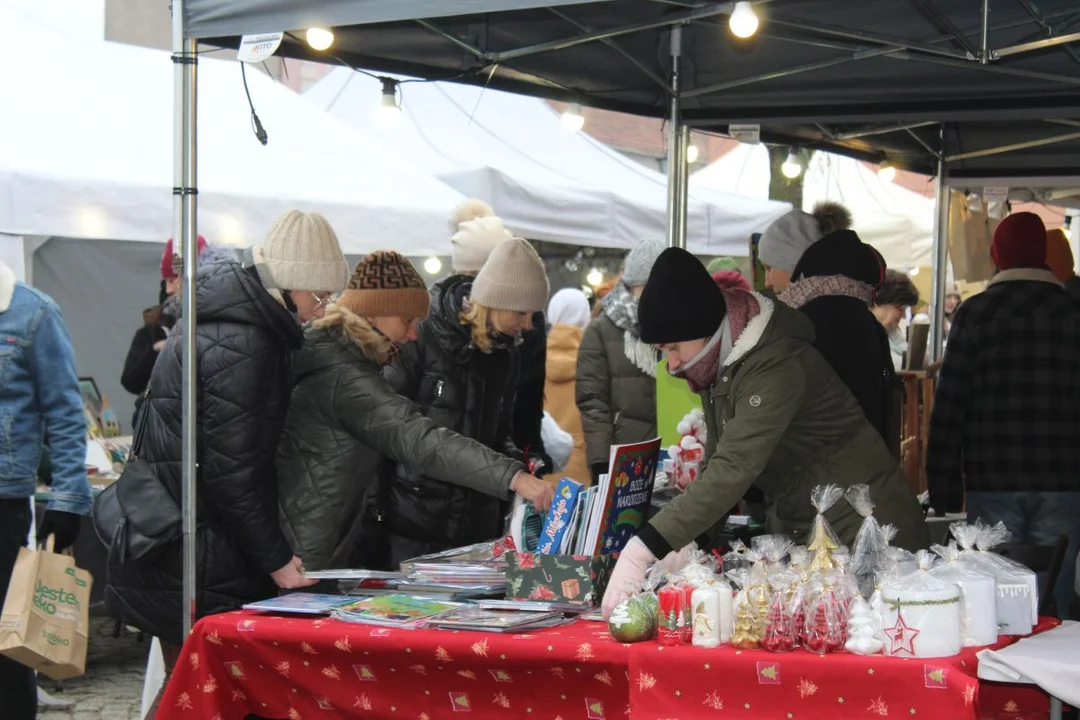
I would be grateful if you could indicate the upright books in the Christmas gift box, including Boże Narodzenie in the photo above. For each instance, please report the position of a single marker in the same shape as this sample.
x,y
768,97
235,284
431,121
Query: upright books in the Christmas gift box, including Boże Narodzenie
x,y
602,520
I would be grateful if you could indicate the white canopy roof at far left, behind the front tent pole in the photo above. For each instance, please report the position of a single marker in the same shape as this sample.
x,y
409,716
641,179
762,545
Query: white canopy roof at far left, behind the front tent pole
x,y
88,154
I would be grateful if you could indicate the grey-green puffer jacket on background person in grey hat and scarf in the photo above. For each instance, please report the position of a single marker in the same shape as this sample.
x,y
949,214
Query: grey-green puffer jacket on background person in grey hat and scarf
x,y
618,402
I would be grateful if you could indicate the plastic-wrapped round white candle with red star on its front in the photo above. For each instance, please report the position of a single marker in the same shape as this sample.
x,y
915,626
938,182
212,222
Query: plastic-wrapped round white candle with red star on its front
x,y
923,615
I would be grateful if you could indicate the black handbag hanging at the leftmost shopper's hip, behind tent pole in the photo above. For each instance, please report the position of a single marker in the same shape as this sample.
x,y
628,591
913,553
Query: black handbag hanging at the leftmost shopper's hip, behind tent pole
x,y
137,517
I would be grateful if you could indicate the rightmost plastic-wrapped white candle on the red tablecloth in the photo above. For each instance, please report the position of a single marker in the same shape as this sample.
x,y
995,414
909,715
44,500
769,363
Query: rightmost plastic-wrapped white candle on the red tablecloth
x,y
1017,588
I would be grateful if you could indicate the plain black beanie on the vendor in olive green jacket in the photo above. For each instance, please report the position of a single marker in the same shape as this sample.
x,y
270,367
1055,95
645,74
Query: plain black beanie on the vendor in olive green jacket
x,y
681,302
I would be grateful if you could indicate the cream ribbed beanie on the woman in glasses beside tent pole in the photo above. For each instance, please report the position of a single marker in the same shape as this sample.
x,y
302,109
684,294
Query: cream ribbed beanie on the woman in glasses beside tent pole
x,y
302,253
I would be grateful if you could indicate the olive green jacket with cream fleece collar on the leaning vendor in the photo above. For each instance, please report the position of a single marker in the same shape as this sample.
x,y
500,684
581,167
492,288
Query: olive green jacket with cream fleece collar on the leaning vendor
x,y
782,422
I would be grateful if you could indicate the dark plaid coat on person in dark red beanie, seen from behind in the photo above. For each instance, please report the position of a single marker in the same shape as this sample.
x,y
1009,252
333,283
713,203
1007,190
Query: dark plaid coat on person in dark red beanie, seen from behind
x,y
1007,410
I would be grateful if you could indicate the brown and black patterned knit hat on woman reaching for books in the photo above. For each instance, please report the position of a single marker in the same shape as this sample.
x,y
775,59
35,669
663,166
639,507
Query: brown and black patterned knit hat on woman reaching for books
x,y
386,284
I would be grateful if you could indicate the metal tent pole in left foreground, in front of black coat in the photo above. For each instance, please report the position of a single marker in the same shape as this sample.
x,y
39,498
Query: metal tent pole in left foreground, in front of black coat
x,y
185,206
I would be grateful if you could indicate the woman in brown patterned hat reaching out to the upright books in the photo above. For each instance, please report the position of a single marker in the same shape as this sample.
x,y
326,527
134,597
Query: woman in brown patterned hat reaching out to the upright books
x,y
344,413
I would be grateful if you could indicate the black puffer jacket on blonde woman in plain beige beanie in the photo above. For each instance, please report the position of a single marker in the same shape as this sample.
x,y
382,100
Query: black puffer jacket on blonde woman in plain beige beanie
x,y
468,391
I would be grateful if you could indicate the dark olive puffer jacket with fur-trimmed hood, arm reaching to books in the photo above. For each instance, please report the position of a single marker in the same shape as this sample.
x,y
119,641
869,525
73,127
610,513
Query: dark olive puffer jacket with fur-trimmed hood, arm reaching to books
x,y
343,411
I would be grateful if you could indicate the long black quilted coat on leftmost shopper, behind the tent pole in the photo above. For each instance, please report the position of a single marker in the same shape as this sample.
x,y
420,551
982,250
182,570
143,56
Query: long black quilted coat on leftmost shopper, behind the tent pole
x,y
245,339
